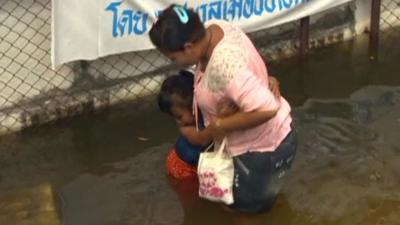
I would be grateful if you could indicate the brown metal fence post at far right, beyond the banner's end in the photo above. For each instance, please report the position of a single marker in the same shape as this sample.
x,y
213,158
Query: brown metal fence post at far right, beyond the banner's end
x,y
374,29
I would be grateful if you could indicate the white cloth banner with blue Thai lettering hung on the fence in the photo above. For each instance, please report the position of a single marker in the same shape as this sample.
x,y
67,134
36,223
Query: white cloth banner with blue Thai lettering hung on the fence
x,y
88,29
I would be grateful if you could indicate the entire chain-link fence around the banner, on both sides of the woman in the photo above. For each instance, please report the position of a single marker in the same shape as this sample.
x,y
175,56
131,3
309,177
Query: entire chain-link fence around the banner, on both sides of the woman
x,y
32,93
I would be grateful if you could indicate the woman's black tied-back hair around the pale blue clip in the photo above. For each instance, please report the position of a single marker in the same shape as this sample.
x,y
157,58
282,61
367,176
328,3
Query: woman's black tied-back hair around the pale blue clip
x,y
169,33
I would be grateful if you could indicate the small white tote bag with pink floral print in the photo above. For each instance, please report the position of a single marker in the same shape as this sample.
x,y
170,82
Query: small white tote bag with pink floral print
x,y
215,172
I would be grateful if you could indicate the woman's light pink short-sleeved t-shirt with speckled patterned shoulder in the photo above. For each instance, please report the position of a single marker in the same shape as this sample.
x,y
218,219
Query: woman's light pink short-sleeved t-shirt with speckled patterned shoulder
x,y
237,72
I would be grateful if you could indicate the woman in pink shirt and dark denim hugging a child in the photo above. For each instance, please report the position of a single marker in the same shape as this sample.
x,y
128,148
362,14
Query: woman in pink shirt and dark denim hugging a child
x,y
228,67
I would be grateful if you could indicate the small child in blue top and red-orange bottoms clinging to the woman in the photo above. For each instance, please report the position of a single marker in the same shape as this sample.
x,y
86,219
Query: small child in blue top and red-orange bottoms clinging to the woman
x,y
176,99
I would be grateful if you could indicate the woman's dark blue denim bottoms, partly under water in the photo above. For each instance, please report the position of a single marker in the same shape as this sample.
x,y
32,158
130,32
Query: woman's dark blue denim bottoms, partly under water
x,y
259,175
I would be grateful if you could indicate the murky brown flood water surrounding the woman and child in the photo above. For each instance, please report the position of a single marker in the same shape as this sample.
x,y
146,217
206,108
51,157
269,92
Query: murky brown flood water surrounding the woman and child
x,y
108,169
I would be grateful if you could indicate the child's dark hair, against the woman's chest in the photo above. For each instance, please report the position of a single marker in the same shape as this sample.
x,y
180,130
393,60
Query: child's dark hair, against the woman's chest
x,y
176,90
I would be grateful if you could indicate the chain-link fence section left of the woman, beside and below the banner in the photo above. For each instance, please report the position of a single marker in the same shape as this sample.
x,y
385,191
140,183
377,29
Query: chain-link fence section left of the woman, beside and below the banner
x,y
32,93
